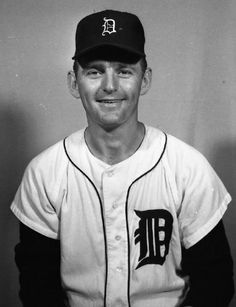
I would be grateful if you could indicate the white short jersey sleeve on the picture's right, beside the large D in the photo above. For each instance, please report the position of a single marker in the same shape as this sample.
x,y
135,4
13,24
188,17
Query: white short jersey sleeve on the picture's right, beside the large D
x,y
204,199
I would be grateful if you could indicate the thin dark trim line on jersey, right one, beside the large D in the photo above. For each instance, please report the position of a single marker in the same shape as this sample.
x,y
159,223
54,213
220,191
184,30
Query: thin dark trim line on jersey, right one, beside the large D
x,y
126,214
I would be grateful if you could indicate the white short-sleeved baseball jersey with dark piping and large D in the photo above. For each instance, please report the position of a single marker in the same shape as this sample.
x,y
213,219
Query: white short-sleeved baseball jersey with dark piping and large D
x,y
122,226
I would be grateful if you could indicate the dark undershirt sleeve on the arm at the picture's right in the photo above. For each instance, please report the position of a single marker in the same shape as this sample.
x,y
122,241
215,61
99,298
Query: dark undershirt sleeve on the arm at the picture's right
x,y
210,268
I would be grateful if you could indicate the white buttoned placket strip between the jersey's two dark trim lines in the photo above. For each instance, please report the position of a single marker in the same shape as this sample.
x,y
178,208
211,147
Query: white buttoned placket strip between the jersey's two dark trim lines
x,y
117,271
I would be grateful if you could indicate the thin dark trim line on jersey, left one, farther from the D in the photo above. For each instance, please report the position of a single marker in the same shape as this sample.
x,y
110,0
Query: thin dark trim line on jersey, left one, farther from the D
x,y
102,215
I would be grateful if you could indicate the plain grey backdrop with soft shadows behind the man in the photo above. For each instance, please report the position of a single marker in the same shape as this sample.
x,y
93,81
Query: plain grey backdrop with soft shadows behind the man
x,y
191,47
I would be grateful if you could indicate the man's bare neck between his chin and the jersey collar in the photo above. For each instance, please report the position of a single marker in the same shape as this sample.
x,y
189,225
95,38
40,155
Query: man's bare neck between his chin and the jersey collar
x,y
116,145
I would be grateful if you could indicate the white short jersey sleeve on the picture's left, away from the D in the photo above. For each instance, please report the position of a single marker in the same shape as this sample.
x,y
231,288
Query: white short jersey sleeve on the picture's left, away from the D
x,y
32,205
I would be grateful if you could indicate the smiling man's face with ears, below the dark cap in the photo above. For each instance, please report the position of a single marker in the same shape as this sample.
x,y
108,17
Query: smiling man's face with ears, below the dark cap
x,y
110,91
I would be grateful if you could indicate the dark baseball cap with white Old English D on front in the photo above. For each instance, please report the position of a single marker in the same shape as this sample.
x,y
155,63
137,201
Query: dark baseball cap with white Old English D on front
x,y
109,28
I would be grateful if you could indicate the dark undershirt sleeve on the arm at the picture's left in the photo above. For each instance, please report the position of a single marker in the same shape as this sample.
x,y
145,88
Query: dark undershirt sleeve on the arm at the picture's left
x,y
38,260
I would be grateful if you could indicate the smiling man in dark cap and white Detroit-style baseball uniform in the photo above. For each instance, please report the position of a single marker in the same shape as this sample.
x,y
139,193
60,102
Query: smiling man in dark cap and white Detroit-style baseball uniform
x,y
120,213
